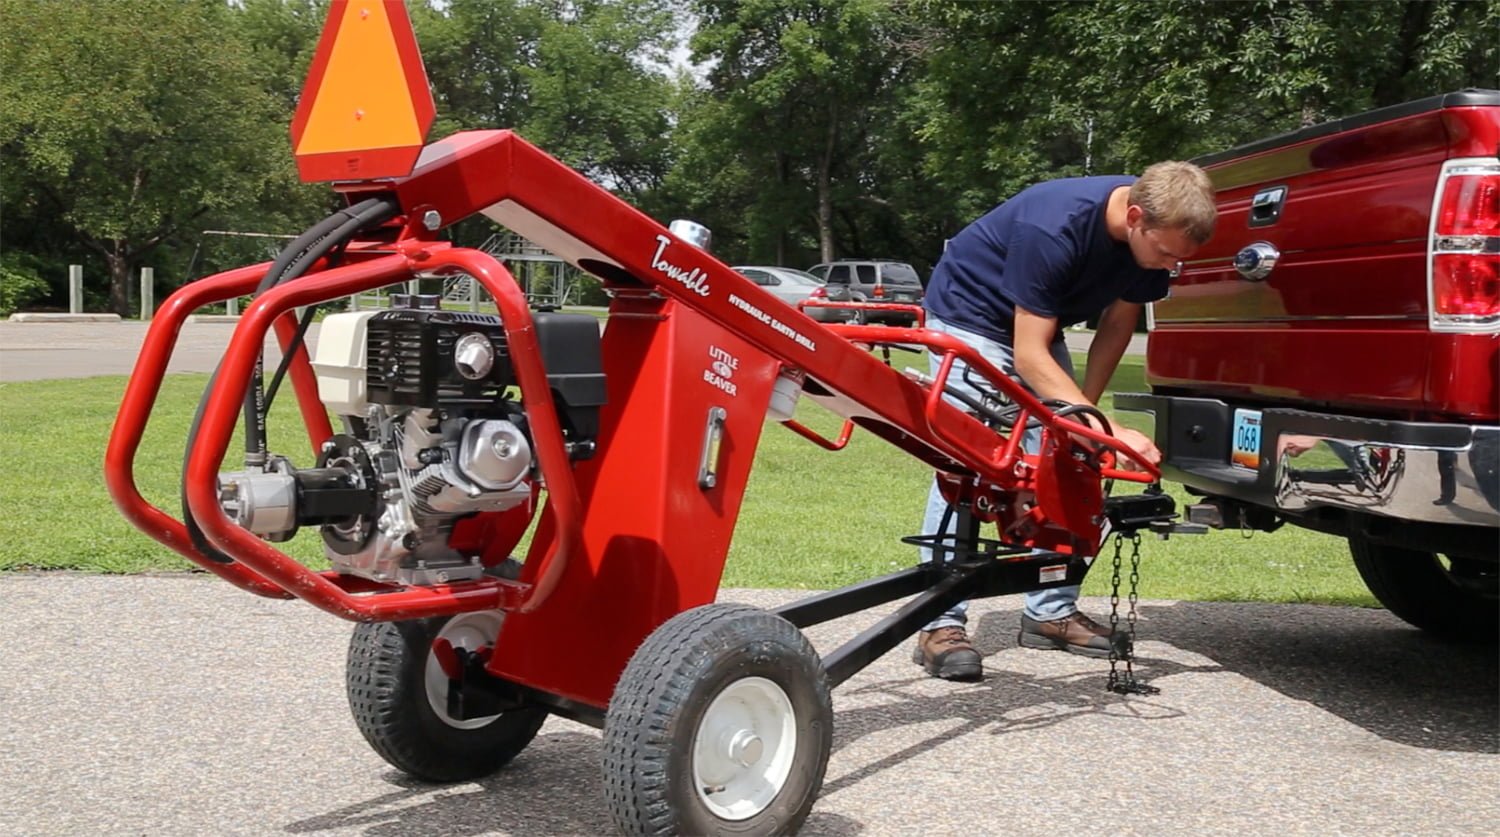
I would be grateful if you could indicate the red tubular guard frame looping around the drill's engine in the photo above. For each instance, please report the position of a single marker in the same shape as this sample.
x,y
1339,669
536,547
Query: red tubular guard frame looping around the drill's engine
x,y
263,569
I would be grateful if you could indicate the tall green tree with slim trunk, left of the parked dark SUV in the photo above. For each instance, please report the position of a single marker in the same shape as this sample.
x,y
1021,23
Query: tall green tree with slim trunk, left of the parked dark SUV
x,y
794,91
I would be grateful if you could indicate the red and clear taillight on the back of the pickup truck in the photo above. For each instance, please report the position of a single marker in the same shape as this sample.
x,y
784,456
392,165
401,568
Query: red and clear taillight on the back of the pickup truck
x,y
1463,257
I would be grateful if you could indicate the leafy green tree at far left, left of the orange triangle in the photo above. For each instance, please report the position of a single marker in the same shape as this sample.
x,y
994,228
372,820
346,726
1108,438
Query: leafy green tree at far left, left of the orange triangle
x,y
134,121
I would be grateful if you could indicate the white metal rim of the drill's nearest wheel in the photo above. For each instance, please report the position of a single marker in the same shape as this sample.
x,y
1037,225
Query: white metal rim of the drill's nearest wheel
x,y
745,749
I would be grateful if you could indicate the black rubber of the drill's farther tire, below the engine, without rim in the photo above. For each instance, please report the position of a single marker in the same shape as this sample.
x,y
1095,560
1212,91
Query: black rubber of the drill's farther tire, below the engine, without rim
x,y
385,680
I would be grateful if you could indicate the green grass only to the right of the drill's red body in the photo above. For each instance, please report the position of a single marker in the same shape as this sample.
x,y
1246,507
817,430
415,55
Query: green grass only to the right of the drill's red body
x,y
817,520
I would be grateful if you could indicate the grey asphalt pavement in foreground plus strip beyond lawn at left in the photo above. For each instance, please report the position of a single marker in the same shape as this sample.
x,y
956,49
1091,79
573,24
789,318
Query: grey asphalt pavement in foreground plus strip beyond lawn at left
x,y
179,706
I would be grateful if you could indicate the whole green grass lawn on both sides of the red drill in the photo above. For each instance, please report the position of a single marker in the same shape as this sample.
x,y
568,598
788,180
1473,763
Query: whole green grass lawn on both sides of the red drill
x,y
811,518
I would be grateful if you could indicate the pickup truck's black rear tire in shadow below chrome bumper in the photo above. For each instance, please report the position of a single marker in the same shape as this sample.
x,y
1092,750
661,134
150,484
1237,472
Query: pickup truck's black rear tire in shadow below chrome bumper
x,y
1417,590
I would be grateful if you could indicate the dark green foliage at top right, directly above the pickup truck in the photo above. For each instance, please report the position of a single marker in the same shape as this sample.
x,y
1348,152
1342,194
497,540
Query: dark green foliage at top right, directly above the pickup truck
x,y
1180,79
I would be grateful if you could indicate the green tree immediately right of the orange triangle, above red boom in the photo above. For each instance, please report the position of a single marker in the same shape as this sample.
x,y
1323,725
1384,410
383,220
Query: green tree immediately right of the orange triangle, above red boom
x,y
583,80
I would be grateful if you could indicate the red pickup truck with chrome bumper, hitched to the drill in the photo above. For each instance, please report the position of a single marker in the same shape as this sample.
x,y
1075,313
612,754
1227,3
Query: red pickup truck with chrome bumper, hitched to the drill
x,y
1331,358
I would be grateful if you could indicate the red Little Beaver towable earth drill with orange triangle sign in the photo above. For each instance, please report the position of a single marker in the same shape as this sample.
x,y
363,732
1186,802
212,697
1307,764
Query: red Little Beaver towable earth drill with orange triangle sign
x,y
625,455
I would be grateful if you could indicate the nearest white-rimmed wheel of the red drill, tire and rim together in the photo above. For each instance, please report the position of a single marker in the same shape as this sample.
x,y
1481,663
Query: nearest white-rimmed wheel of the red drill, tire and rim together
x,y
721,725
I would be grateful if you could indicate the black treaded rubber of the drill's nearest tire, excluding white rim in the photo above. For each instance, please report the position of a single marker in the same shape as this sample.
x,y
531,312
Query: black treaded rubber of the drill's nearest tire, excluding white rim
x,y
658,706
